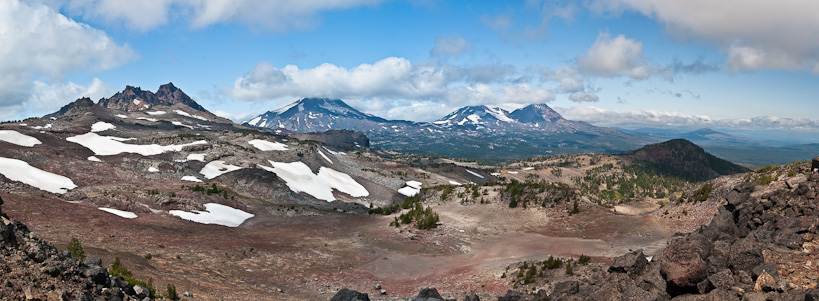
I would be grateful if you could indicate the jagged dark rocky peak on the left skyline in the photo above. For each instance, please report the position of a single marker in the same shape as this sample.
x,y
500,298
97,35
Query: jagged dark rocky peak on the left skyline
x,y
136,99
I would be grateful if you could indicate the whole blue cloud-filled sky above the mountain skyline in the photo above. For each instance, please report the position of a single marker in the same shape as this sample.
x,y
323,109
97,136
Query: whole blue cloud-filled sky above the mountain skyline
x,y
730,64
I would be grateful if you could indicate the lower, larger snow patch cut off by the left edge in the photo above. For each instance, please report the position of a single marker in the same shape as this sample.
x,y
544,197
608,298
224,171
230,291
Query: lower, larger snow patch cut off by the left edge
x,y
18,170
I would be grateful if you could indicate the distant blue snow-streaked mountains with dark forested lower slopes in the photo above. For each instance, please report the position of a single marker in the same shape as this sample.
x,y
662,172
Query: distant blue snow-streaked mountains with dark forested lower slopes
x,y
477,132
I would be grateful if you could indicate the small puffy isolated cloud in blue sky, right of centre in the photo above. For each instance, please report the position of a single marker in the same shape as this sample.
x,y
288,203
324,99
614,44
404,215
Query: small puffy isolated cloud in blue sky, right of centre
x,y
612,57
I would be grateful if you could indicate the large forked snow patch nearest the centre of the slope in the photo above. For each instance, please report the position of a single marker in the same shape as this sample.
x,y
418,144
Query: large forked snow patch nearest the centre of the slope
x,y
300,178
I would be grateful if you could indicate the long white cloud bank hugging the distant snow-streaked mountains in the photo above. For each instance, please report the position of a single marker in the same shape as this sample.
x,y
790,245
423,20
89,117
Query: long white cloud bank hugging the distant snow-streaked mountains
x,y
391,87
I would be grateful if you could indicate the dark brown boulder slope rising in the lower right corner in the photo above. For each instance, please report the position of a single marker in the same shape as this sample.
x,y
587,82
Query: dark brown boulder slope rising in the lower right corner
x,y
762,245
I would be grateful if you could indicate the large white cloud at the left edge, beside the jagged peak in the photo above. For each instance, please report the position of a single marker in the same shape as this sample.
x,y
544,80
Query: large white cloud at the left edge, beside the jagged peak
x,y
38,42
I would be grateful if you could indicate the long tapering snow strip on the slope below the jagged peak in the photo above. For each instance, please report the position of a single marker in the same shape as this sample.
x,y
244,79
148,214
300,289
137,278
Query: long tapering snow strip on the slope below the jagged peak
x,y
107,146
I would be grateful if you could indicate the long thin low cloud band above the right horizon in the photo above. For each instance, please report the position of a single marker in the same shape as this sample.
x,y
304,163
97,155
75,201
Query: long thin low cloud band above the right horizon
x,y
663,119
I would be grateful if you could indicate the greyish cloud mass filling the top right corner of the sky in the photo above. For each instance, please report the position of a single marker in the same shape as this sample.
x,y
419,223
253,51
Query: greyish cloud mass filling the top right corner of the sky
x,y
756,34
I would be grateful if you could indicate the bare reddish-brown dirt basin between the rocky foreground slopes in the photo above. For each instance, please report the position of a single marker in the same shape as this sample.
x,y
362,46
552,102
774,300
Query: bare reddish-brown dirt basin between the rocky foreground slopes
x,y
277,257
